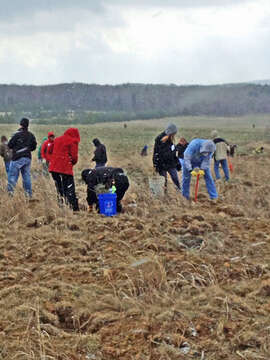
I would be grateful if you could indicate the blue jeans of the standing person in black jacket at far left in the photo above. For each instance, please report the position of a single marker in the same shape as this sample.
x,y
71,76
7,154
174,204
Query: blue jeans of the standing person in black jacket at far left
x,y
22,165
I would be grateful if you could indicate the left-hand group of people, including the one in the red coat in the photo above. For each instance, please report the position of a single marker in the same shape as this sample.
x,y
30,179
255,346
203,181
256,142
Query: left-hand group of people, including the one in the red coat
x,y
59,155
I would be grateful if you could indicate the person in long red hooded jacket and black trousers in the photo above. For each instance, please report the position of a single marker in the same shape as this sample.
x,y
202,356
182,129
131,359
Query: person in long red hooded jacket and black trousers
x,y
63,158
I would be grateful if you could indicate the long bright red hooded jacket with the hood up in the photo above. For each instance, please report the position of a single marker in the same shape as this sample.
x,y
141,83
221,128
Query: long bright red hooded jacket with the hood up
x,y
65,152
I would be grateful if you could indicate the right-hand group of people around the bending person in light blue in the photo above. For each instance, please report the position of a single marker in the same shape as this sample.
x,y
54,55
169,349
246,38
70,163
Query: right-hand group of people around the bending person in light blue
x,y
168,158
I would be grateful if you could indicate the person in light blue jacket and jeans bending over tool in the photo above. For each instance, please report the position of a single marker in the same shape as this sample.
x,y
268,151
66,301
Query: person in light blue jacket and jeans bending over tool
x,y
198,155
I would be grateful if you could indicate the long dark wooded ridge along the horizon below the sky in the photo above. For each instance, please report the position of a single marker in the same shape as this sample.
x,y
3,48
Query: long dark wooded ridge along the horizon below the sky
x,y
134,100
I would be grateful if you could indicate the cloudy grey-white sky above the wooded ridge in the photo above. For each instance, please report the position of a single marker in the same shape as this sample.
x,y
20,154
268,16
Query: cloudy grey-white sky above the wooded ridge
x,y
136,41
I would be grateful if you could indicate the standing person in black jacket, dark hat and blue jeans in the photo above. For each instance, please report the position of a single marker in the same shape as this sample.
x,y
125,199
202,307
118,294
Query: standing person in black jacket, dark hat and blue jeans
x,y
22,143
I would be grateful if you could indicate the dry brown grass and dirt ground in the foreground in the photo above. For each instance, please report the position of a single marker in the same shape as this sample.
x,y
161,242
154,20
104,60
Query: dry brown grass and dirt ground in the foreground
x,y
166,279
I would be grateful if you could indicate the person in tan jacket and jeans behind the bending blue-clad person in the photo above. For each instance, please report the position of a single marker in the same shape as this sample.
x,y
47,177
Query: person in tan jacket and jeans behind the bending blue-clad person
x,y
220,156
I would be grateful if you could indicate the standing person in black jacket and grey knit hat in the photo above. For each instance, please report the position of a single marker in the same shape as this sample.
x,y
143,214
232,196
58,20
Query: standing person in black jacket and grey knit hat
x,y
164,157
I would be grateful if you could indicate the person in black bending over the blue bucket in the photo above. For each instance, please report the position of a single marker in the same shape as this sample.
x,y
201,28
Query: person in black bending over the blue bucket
x,y
109,177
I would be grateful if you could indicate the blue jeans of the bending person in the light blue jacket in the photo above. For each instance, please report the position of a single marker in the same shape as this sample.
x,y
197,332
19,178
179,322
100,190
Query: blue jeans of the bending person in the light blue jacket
x,y
209,182
